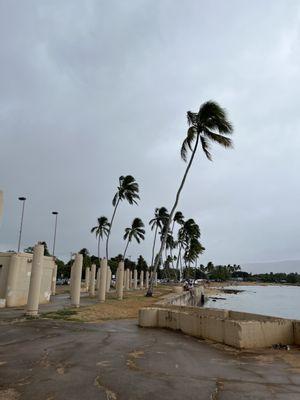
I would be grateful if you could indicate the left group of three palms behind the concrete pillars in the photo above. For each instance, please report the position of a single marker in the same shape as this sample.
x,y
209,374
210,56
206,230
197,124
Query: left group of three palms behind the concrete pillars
x,y
128,190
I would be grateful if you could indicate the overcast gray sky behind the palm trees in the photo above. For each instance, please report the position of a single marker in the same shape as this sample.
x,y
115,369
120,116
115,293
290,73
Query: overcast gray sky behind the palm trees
x,y
91,90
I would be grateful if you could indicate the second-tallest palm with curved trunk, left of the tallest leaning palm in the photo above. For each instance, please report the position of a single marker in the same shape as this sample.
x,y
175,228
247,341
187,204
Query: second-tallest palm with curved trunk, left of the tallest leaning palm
x,y
128,189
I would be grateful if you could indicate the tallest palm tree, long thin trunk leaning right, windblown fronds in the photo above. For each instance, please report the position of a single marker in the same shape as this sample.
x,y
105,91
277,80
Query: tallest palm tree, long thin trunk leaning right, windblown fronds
x,y
209,124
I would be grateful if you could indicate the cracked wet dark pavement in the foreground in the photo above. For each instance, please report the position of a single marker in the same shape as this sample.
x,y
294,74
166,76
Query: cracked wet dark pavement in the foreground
x,y
56,360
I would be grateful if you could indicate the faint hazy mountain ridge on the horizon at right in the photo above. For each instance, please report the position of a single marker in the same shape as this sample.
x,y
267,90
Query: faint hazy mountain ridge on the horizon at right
x,y
287,266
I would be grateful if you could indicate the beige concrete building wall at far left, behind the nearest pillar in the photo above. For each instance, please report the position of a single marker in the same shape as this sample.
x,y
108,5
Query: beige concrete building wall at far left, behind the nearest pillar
x,y
17,293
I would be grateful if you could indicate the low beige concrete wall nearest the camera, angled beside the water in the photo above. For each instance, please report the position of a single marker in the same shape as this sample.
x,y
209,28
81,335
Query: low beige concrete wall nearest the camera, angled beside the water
x,y
239,334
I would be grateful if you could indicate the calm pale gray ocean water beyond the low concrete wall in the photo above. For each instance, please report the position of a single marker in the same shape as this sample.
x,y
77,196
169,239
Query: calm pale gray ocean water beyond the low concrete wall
x,y
277,301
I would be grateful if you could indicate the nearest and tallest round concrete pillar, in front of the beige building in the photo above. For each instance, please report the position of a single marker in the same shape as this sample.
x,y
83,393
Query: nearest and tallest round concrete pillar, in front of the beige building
x,y
32,307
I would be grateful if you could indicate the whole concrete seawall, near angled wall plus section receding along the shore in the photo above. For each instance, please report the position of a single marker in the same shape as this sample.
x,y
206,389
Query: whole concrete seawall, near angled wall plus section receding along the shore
x,y
237,329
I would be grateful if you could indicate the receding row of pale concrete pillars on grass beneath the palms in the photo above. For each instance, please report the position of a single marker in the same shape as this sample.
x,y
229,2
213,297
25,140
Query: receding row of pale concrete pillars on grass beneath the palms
x,y
125,280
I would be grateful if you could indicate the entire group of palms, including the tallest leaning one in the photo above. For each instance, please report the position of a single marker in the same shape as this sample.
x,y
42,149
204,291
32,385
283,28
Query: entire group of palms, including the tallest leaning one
x,y
209,124
